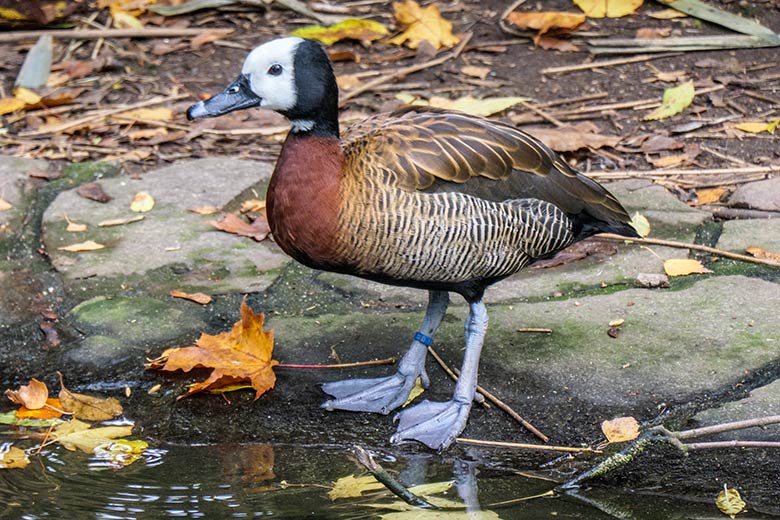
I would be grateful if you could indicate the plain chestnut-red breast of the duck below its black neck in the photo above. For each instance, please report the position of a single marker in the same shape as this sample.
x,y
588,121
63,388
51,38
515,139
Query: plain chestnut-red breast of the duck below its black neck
x,y
304,197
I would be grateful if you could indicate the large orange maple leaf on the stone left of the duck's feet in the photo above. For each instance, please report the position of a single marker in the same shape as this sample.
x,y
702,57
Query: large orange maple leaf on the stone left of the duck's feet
x,y
243,354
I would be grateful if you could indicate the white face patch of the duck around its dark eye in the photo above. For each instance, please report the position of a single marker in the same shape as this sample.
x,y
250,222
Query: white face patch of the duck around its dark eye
x,y
275,88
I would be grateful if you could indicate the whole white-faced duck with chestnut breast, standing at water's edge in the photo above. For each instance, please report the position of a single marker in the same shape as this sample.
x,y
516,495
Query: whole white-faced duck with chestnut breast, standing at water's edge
x,y
419,197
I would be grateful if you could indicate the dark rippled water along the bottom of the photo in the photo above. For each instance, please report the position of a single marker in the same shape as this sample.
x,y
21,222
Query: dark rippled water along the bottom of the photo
x,y
260,481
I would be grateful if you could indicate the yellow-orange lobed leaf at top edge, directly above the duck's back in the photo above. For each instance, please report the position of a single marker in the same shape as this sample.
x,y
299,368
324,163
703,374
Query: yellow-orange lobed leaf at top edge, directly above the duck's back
x,y
422,24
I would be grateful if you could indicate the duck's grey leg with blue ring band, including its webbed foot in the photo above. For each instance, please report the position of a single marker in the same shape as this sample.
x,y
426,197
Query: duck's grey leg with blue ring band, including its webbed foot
x,y
384,394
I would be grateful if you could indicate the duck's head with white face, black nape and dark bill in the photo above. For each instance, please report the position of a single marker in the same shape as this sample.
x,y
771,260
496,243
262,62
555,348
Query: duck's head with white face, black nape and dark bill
x,y
292,76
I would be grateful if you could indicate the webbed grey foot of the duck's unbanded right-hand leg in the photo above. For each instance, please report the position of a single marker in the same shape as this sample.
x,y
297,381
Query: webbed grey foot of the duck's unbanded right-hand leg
x,y
434,424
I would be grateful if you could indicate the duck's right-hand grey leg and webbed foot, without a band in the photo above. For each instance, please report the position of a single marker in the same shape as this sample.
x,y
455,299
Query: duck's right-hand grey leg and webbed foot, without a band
x,y
438,424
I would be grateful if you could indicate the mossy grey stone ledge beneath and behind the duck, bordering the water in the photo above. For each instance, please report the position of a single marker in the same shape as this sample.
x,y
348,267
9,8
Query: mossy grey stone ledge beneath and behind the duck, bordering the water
x,y
701,352
